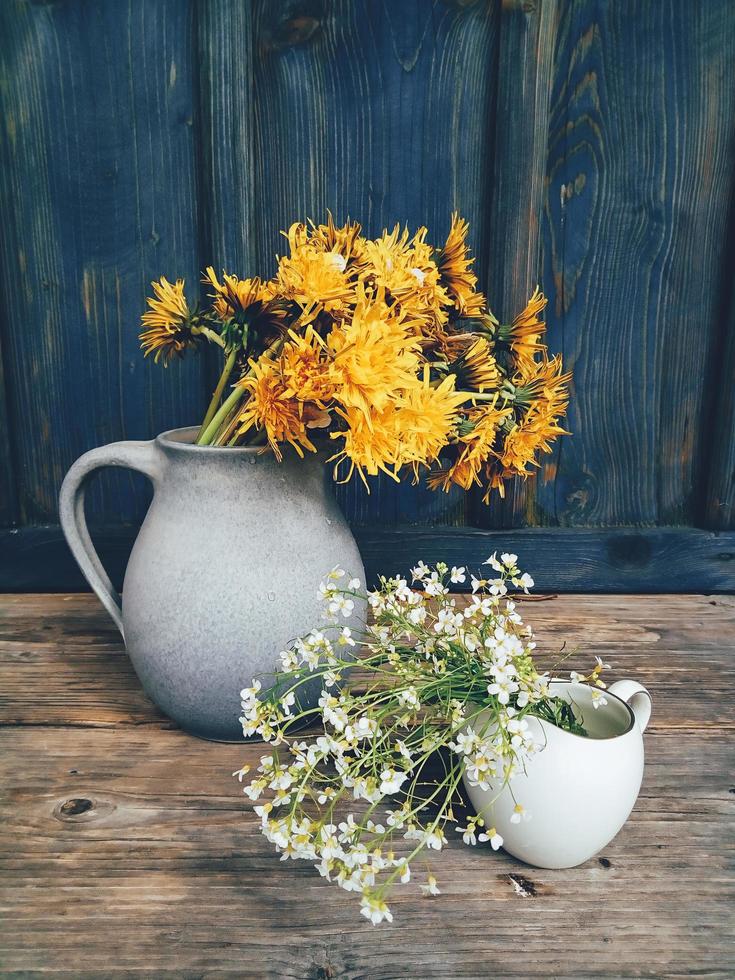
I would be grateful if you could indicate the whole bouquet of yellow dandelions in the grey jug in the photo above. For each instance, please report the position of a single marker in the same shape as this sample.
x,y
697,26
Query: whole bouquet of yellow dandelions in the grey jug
x,y
384,348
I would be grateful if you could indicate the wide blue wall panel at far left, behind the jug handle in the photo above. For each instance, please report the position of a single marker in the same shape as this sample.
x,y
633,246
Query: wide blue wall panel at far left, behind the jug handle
x,y
99,197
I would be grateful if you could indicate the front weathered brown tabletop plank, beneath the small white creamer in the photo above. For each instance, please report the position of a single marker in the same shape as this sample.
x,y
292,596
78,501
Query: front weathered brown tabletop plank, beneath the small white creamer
x,y
137,849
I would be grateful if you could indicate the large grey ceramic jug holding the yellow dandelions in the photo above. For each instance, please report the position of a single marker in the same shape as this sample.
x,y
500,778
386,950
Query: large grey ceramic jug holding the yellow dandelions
x,y
224,572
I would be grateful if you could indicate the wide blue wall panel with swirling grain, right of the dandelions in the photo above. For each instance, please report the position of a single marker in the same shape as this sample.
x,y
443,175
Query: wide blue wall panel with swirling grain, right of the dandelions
x,y
639,176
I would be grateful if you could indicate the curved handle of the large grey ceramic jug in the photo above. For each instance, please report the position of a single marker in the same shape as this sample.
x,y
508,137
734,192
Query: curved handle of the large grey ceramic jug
x,y
141,456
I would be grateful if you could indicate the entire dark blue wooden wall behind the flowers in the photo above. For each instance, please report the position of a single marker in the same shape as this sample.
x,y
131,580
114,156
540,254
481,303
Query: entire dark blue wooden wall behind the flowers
x,y
590,144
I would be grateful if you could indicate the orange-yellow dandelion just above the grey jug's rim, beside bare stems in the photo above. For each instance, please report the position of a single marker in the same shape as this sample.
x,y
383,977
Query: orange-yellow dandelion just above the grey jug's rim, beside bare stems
x,y
271,408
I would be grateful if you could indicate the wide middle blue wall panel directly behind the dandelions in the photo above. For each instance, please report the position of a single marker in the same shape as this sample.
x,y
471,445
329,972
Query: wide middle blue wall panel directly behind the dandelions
x,y
382,112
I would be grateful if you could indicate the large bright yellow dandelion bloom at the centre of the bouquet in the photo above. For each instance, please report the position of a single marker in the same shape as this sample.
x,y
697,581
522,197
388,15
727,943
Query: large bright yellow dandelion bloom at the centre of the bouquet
x,y
373,355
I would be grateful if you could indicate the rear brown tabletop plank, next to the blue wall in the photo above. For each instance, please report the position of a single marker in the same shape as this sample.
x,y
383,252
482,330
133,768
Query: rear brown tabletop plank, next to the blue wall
x,y
67,648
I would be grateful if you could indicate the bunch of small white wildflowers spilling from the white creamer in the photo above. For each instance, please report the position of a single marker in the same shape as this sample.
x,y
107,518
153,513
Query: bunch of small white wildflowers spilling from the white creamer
x,y
359,799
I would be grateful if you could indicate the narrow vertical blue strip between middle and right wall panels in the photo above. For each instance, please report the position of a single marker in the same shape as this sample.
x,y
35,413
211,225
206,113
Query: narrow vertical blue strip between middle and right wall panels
x,y
525,67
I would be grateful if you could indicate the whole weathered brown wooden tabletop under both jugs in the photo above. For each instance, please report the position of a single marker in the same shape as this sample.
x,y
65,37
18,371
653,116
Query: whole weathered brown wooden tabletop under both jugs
x,y
127,848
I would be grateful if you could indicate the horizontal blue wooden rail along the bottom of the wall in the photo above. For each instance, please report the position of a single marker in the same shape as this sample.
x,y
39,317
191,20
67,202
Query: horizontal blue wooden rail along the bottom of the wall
x,y
36,559
